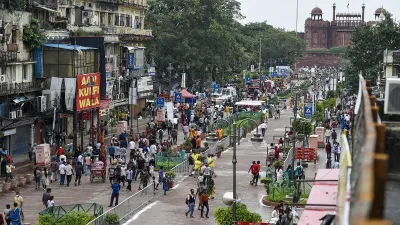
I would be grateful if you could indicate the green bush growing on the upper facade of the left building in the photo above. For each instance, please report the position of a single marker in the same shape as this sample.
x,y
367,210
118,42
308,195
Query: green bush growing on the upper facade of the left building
x,y
33,36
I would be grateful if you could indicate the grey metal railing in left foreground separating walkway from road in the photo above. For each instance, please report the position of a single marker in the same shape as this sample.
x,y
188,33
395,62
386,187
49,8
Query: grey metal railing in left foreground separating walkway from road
x,y
130,206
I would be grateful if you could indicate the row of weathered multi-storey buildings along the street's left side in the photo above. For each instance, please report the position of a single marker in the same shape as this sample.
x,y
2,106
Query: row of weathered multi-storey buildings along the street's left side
x,y
114,30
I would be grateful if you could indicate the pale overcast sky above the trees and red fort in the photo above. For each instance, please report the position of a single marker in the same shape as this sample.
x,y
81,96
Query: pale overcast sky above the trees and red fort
x,y
282,13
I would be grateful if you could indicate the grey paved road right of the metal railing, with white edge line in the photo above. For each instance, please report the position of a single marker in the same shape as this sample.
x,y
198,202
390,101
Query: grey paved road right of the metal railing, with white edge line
x,y
170,209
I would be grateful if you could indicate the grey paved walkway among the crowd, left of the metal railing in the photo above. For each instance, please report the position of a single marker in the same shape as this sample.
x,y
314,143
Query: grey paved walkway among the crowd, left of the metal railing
x,y
96,192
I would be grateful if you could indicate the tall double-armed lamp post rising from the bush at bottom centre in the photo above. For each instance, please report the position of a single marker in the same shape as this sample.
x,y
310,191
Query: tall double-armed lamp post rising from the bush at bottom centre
x,y
256,140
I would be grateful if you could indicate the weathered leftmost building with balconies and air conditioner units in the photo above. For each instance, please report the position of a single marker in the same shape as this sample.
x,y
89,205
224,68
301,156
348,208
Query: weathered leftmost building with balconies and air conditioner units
x,y
18,87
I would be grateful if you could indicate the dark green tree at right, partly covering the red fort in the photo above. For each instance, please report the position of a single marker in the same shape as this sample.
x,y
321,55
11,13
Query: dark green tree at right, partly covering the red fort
x,y
368,44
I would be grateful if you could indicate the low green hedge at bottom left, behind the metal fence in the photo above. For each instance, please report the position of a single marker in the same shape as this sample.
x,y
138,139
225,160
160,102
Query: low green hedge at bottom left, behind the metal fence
x,y
71,218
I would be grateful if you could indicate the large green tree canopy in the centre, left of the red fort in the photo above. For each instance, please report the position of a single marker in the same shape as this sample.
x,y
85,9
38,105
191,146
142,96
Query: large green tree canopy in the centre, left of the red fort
x,y
205,34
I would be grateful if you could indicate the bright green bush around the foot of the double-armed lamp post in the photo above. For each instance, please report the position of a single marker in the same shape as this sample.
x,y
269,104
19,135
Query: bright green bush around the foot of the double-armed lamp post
x,y
223,215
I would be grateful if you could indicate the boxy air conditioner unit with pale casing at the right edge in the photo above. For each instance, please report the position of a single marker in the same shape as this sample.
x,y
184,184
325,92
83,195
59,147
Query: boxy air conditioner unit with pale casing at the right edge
x,y
392,96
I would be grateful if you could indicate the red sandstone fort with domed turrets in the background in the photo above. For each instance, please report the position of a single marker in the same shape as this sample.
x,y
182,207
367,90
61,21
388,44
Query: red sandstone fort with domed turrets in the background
x,y
326,40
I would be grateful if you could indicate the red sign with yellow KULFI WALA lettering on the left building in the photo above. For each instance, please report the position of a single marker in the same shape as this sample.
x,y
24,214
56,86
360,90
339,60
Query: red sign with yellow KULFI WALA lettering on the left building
x,y
88,91
